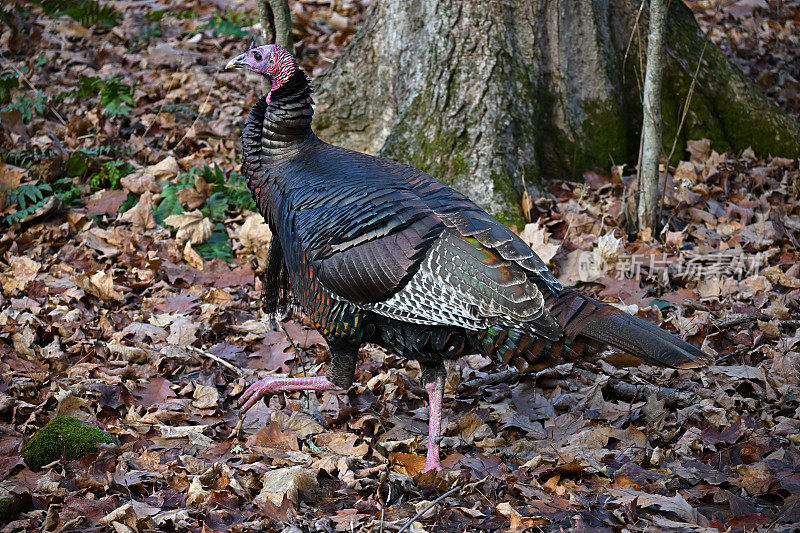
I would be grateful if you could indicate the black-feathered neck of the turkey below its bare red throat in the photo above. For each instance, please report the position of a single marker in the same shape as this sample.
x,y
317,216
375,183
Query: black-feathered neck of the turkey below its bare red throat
x,y
287,117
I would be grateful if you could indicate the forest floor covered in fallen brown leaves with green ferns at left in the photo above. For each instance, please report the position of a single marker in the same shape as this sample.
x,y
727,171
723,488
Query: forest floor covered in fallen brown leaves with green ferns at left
x,y
131,298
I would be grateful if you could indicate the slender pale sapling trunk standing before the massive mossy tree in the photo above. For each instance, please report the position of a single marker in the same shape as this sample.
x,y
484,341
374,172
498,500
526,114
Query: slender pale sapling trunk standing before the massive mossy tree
x,y
647,208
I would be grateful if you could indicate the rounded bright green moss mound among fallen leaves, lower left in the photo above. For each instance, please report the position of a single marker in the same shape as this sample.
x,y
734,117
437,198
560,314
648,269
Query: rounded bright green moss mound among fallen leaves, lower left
x,y
64,436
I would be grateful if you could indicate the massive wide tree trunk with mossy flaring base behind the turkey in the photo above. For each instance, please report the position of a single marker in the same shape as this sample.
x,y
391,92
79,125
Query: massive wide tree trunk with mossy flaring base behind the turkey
x,y
490,95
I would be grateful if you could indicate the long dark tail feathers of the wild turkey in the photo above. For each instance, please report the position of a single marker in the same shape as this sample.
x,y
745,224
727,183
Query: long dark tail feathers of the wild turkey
x,y
582,315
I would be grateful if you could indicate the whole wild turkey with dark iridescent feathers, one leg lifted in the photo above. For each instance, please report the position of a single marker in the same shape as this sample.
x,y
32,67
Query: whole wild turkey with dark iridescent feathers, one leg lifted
x,y
378,251
